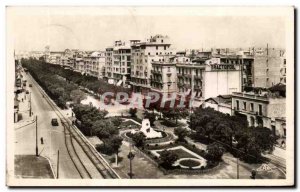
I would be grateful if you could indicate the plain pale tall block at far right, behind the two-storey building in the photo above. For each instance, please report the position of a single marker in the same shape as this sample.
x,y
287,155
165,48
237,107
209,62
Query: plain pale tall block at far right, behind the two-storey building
x,y
269,67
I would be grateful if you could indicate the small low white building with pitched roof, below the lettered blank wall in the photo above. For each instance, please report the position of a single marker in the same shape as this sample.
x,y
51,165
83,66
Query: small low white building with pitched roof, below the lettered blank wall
x,y
221,103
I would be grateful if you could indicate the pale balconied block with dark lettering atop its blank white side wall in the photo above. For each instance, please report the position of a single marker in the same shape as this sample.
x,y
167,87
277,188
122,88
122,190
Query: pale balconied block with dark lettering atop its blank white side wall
x,y
201,78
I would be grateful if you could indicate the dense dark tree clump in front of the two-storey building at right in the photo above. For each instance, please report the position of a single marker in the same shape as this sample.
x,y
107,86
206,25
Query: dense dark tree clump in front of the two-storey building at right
x,y
232,132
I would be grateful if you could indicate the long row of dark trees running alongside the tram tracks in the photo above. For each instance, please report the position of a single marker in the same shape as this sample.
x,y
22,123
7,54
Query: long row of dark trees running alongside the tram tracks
x,y
91,121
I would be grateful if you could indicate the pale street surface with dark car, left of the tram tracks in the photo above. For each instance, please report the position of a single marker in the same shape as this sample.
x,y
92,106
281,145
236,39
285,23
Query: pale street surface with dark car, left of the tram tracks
x,y
53,136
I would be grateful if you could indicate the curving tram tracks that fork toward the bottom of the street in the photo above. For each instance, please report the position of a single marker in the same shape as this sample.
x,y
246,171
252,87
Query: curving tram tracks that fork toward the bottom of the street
x,y
72,131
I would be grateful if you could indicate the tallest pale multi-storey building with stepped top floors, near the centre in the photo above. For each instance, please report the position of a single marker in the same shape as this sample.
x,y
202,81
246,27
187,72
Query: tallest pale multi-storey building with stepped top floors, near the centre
x,y
155,49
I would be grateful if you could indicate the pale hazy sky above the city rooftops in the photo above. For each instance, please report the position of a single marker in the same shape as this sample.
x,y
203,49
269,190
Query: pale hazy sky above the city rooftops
x,y
61,29
